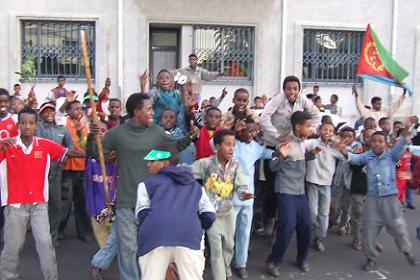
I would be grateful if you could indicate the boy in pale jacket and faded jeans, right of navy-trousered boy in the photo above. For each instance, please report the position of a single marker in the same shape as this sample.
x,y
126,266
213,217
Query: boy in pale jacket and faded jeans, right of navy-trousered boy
x,y
319,176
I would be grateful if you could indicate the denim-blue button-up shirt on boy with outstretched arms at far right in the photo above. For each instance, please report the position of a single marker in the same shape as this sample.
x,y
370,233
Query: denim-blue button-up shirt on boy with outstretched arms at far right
x,y
380,169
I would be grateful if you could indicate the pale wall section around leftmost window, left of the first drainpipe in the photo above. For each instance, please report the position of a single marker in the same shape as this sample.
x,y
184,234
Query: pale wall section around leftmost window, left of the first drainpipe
x,y
104,13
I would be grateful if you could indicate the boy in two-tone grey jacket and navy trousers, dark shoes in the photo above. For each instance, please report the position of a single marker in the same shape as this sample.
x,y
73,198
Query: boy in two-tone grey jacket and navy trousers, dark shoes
x,y
292,204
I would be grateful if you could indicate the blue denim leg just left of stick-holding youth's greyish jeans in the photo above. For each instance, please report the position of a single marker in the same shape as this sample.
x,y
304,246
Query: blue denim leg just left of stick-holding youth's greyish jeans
x,y
104,257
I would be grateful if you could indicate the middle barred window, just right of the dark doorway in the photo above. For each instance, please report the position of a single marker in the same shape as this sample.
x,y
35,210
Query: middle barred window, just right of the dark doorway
x,y
227,49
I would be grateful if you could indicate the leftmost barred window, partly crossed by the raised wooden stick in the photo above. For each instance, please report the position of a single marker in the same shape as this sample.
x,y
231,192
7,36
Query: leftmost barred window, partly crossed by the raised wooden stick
x,y
55,47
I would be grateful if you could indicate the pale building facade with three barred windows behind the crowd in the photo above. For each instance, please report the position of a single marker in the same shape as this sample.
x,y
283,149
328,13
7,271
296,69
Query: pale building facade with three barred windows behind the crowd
x,y
255,43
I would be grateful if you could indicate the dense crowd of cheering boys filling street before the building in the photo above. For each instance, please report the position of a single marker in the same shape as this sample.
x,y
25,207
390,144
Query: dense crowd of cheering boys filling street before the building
x,y
185,176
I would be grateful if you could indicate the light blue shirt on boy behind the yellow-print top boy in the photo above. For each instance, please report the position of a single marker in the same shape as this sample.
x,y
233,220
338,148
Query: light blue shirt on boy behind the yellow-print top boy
x,y
248,154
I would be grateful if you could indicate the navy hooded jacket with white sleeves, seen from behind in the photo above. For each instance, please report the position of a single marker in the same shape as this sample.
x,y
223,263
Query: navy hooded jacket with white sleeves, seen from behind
x,y
172,210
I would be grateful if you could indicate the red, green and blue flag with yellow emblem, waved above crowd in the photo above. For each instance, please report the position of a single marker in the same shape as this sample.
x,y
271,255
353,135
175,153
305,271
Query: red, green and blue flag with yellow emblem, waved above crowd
x,y
377,64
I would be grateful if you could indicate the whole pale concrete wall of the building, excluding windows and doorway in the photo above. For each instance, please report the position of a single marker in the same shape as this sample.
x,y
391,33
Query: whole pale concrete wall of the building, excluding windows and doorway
x,y
264,15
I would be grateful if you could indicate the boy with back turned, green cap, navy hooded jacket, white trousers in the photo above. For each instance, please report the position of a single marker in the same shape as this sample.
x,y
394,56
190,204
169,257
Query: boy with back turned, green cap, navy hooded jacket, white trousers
x,y
172,210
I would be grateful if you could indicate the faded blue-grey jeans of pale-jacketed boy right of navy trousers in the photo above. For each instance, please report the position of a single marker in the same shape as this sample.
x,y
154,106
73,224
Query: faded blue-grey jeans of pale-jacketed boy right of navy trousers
x,y
319,203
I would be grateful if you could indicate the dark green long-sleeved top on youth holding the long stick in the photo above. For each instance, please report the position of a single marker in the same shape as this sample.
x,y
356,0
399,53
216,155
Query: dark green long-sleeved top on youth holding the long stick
x,y
132,143
